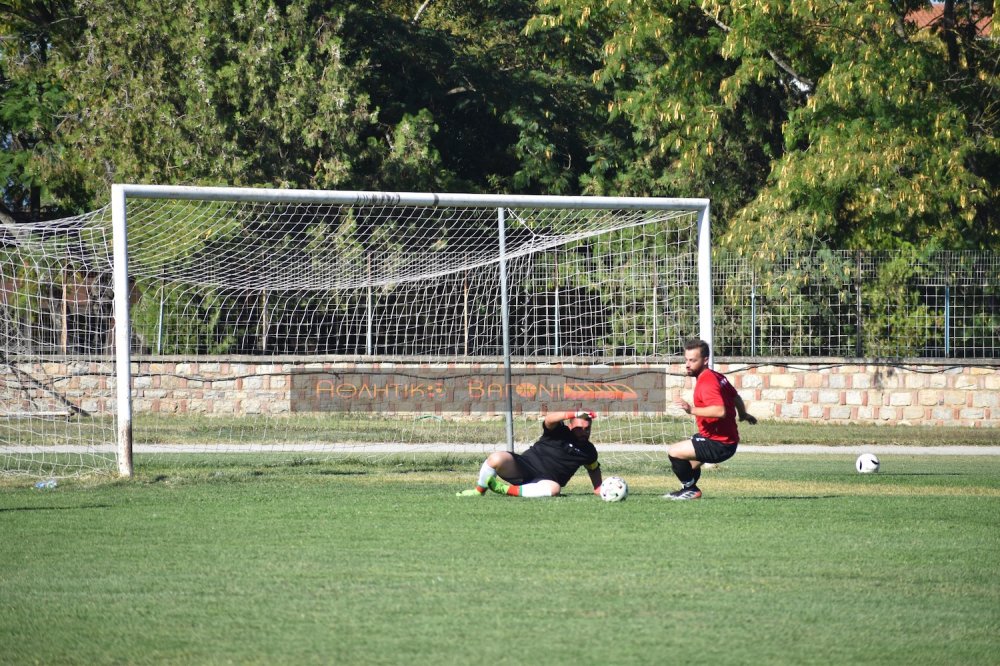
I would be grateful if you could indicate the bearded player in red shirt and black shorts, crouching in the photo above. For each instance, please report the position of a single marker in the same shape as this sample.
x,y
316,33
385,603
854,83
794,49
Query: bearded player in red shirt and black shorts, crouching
x,y
716,406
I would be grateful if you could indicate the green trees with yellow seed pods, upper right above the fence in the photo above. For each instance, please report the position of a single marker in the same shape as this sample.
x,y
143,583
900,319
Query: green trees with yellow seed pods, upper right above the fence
x,y
806,121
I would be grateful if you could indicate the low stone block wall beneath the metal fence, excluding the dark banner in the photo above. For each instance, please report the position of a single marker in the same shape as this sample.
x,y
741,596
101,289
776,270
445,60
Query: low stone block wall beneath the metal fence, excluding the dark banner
x,y
830,390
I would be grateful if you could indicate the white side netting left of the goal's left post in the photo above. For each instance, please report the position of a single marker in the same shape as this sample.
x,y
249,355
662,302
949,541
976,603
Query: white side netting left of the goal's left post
x,y
56,403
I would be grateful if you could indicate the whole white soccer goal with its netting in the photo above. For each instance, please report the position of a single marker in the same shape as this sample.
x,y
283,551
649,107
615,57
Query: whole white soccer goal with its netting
x,y
190,321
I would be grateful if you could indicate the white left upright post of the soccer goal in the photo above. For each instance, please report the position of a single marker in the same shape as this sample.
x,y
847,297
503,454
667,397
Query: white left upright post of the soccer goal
x,y
123,359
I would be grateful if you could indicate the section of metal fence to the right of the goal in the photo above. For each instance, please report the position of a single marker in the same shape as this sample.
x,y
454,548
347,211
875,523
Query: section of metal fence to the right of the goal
x,y
859,304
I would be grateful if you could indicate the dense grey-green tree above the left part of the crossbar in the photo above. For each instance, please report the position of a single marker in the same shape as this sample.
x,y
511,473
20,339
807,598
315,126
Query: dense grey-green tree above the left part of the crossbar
x,y
243,94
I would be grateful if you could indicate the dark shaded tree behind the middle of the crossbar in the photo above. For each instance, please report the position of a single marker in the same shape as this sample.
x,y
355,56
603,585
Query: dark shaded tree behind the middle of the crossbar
x,y
510,111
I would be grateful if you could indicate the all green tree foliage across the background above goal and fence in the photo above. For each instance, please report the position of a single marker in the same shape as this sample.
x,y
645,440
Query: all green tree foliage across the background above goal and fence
x,y
812,125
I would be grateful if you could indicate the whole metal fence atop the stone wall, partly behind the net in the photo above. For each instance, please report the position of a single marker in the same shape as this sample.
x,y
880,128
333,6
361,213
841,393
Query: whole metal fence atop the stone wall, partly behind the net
x,y
590,299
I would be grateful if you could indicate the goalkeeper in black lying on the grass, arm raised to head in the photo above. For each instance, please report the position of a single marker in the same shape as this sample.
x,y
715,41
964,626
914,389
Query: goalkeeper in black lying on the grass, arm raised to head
x,y
547,465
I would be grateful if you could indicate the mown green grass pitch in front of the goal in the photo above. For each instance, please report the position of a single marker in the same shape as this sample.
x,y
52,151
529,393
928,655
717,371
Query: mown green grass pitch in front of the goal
x,y
786,560
